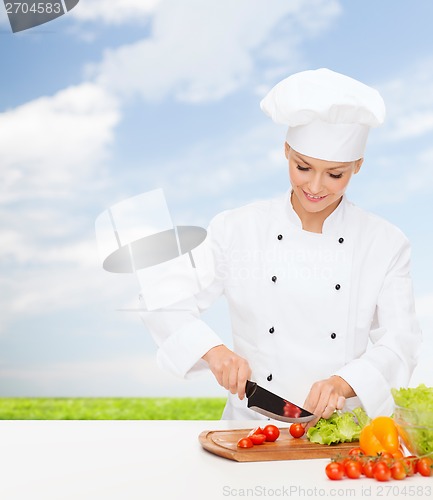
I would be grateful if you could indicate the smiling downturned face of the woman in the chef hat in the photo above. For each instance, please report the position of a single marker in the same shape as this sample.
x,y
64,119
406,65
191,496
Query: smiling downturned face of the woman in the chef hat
x,y
318,184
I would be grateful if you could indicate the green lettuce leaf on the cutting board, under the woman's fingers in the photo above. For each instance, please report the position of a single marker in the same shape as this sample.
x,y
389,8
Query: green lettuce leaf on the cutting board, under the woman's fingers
x,y
339,428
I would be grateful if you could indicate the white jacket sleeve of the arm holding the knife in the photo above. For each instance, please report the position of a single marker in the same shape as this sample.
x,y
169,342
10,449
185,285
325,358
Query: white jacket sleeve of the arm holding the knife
x,y
181,336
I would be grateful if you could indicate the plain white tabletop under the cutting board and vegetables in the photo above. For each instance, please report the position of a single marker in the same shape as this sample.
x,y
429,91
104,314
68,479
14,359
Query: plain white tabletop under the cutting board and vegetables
x,y
138,460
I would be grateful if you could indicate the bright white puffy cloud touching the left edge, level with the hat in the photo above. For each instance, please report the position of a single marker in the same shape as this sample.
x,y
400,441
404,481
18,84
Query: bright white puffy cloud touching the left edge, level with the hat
x,y
52,143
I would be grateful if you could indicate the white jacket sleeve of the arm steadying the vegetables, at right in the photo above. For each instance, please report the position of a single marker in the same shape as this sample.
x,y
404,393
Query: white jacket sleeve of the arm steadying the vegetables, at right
x,y
395,339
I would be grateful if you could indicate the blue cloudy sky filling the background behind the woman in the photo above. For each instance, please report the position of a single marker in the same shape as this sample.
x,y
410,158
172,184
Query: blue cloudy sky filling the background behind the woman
x,y
120,97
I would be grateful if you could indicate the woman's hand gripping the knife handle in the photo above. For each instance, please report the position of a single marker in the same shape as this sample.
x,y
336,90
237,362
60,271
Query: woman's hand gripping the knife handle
x,y
230,370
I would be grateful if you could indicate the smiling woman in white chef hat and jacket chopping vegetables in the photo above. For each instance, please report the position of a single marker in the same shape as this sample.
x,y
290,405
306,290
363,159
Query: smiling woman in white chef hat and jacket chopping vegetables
x,y
319,290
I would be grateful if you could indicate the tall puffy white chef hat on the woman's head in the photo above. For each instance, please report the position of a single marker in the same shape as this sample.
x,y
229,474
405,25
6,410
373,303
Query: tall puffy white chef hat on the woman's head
x,y
328,114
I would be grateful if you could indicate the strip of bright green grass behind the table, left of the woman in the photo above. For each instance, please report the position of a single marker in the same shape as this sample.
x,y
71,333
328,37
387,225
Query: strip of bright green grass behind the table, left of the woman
x,y
111,408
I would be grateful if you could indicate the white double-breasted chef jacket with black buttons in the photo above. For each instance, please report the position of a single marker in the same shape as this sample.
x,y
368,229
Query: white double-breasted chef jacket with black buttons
x,y
304,306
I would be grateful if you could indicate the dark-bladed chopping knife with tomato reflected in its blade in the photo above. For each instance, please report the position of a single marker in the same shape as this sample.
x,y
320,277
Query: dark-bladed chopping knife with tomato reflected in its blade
x,y
273,406
